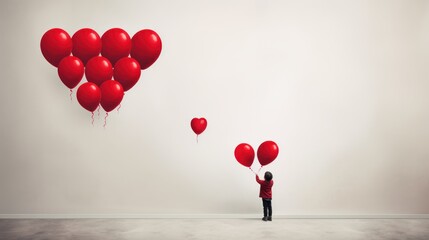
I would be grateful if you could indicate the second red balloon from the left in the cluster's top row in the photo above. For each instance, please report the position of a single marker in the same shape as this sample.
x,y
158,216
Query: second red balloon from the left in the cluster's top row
x,y
86,44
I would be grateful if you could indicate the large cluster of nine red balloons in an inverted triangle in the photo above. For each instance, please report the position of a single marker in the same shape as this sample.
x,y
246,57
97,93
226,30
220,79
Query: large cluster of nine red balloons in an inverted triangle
x,y
111,63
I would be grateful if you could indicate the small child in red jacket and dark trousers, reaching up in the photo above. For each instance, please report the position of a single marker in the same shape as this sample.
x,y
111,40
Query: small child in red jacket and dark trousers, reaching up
x,y
266,195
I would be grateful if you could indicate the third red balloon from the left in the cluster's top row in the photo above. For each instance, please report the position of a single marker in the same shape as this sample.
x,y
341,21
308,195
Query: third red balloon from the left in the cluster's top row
x,y
116,44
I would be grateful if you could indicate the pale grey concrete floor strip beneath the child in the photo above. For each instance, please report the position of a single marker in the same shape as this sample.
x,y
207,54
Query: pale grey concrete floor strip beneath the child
x,y
249,229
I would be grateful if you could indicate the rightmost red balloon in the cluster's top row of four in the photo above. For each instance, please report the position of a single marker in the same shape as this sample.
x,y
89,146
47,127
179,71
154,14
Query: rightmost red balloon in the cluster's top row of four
x,y
146,47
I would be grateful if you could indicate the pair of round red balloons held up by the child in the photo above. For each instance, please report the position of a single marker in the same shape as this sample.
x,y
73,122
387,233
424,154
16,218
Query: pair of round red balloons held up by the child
x,y
267,152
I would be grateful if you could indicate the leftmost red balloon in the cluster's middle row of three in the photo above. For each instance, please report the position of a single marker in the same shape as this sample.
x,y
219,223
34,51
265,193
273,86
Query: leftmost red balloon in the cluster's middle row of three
x,y
71,71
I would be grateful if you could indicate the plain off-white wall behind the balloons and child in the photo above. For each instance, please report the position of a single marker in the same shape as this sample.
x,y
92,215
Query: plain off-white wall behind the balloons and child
x,y
341,86
